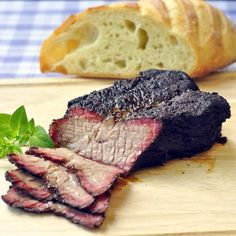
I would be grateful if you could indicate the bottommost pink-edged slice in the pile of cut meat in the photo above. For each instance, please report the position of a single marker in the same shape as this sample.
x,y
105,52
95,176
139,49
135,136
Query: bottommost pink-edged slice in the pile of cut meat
x,y
16,199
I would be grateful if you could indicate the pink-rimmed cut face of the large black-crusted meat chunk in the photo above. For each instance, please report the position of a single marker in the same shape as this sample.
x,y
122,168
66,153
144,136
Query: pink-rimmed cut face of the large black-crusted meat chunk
x,y
106,141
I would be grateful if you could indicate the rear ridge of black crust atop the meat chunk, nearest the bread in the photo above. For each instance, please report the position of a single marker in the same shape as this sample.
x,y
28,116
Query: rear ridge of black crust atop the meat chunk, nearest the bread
x,y
149,89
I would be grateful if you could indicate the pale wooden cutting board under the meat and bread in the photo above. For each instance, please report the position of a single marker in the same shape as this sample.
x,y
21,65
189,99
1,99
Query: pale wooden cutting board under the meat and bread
x,y
185,197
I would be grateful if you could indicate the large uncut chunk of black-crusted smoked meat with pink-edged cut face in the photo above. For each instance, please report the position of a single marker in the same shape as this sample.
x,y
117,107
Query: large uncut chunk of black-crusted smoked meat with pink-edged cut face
x,y
134,123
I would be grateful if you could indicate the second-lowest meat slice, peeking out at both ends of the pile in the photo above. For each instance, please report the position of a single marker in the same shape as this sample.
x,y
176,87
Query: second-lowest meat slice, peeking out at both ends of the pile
x,y
37,188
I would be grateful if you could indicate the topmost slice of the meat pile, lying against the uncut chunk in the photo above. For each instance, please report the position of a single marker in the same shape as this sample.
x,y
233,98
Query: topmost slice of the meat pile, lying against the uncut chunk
x,y
95,177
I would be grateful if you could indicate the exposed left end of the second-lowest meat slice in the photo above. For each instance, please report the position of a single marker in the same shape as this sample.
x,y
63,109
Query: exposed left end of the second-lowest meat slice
x,y
33,185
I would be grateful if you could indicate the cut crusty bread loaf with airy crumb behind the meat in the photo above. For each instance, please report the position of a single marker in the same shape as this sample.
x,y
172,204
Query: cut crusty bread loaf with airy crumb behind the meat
x,y
121,39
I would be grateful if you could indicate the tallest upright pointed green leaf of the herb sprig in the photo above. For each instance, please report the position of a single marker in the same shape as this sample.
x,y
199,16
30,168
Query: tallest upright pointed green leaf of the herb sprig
x,y
19,121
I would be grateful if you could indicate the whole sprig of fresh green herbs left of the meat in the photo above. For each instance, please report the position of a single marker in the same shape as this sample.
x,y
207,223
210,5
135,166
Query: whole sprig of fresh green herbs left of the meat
x,y
16,131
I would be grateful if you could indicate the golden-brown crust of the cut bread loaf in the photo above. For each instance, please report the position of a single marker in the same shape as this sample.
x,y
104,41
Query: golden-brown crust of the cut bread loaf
x,y
206,30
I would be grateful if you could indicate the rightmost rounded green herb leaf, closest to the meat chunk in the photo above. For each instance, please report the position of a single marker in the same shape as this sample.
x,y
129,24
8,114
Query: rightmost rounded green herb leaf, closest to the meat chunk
x,y
40,138
